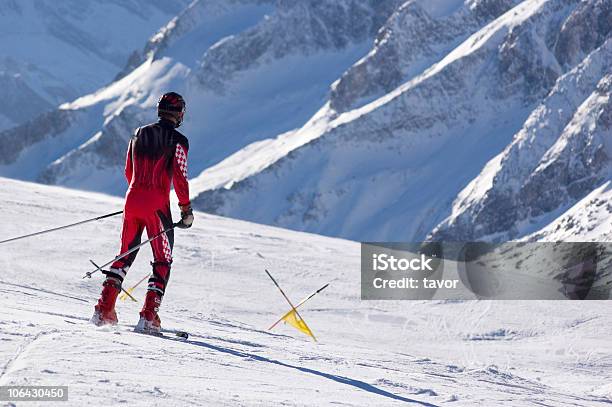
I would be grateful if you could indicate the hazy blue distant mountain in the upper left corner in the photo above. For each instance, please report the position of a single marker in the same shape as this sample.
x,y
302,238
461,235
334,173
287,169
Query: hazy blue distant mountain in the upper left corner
x,y
54,51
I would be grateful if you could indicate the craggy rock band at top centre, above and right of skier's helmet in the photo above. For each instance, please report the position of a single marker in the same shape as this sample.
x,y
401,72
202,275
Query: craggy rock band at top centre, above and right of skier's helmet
x,y
301,27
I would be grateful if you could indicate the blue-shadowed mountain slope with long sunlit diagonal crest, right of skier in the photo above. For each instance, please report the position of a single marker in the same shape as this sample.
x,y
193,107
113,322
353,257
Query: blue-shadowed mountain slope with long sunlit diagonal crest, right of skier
x,y
389,170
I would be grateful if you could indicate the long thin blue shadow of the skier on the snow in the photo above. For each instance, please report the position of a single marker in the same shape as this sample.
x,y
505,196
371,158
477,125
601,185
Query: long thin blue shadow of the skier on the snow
x,y
340,379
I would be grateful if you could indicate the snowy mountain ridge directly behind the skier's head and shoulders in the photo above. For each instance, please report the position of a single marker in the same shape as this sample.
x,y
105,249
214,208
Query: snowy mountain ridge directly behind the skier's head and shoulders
x,y
249,69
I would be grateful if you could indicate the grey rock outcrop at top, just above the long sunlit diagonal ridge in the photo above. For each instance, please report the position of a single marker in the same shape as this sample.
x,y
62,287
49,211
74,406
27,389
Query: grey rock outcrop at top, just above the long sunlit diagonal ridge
x,y
408,43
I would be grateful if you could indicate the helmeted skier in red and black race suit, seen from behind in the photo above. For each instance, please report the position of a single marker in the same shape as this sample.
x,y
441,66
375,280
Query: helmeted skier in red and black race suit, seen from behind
x,y
156,156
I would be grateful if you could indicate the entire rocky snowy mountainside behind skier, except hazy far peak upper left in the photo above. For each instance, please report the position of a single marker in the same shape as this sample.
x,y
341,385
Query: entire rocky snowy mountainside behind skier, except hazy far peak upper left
x,y
370,120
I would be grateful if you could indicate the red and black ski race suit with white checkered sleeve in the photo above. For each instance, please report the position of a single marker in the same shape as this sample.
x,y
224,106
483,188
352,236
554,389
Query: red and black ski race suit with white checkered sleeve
x,y
156,157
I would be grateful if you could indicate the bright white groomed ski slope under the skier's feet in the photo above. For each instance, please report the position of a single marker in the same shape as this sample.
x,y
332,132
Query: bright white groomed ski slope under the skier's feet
x,y
426,353
